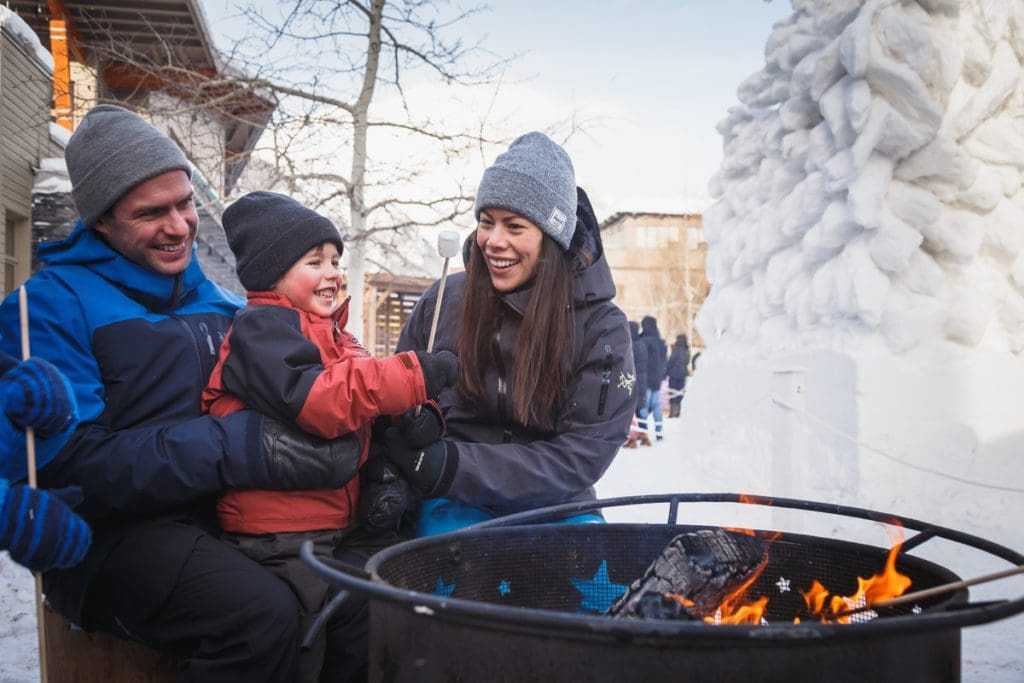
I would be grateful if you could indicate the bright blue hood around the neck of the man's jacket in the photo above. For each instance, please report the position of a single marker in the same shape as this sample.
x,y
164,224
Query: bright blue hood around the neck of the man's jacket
x,y
156,291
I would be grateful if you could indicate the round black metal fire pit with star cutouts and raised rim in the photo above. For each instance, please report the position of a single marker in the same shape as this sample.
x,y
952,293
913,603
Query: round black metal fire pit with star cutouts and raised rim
x,y
520,602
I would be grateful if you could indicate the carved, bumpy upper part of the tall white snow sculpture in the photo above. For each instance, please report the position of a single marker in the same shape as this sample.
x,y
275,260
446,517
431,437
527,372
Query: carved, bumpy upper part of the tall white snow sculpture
x,y
872,180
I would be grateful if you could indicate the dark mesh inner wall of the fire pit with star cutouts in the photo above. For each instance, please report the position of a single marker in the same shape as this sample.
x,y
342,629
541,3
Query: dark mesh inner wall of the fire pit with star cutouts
x,y
583,569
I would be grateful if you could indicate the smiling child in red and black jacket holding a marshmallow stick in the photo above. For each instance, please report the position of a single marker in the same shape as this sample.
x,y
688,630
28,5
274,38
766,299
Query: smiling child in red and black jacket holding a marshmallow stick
x,y
288,356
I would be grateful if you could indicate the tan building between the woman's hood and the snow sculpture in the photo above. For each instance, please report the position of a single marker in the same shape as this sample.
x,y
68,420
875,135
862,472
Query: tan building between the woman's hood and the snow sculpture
x,y
658,263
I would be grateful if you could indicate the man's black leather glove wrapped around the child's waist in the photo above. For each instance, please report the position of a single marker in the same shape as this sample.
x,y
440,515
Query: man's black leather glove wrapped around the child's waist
x,y
298,461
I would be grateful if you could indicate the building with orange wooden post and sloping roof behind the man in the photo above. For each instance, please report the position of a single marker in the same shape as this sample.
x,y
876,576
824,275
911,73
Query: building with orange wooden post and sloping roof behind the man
x,y
155,57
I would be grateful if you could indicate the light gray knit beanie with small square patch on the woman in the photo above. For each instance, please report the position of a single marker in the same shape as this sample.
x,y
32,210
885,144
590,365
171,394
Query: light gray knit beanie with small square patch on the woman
x,y
535,180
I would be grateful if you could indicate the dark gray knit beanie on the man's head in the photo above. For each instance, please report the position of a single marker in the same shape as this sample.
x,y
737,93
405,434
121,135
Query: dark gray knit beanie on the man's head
x,y
111,152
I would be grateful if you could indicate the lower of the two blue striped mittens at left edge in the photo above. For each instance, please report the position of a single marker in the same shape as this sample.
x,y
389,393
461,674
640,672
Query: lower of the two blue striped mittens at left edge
x,y
39,530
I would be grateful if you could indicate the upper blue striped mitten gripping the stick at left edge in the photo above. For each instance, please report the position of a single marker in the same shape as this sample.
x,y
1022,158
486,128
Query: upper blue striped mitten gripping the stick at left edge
x,y
34,394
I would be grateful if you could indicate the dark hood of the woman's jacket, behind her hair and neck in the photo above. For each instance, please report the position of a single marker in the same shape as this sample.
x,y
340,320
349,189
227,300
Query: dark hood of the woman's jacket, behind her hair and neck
x,y
593,277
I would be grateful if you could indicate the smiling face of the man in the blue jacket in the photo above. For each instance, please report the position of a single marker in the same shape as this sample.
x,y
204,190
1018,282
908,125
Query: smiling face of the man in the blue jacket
x,y
155,224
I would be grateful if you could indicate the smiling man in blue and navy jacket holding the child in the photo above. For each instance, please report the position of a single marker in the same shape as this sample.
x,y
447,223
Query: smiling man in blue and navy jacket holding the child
x,y
125,312
